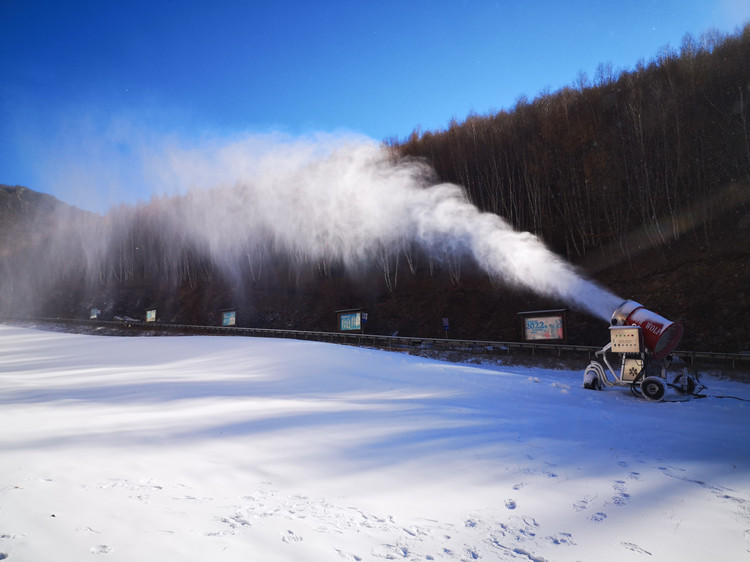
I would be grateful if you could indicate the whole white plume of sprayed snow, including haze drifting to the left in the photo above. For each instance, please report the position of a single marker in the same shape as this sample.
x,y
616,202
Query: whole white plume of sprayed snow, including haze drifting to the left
x,y
334,198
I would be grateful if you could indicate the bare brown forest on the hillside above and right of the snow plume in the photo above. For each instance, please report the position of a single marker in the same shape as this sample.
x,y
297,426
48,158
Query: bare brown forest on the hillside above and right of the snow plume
x,y
662,148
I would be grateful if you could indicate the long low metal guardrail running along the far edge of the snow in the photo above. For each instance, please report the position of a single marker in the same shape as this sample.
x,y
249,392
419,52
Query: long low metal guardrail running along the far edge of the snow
x,y
381,341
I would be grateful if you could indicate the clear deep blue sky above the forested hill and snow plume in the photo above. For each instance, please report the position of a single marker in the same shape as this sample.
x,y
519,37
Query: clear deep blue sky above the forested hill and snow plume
x,y
86,86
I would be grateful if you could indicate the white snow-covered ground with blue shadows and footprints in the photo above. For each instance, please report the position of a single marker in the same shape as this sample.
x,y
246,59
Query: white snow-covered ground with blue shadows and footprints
x,y
208,448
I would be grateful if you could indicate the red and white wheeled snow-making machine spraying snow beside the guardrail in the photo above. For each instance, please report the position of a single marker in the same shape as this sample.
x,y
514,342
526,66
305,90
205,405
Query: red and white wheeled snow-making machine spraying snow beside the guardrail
x,y
643,342
